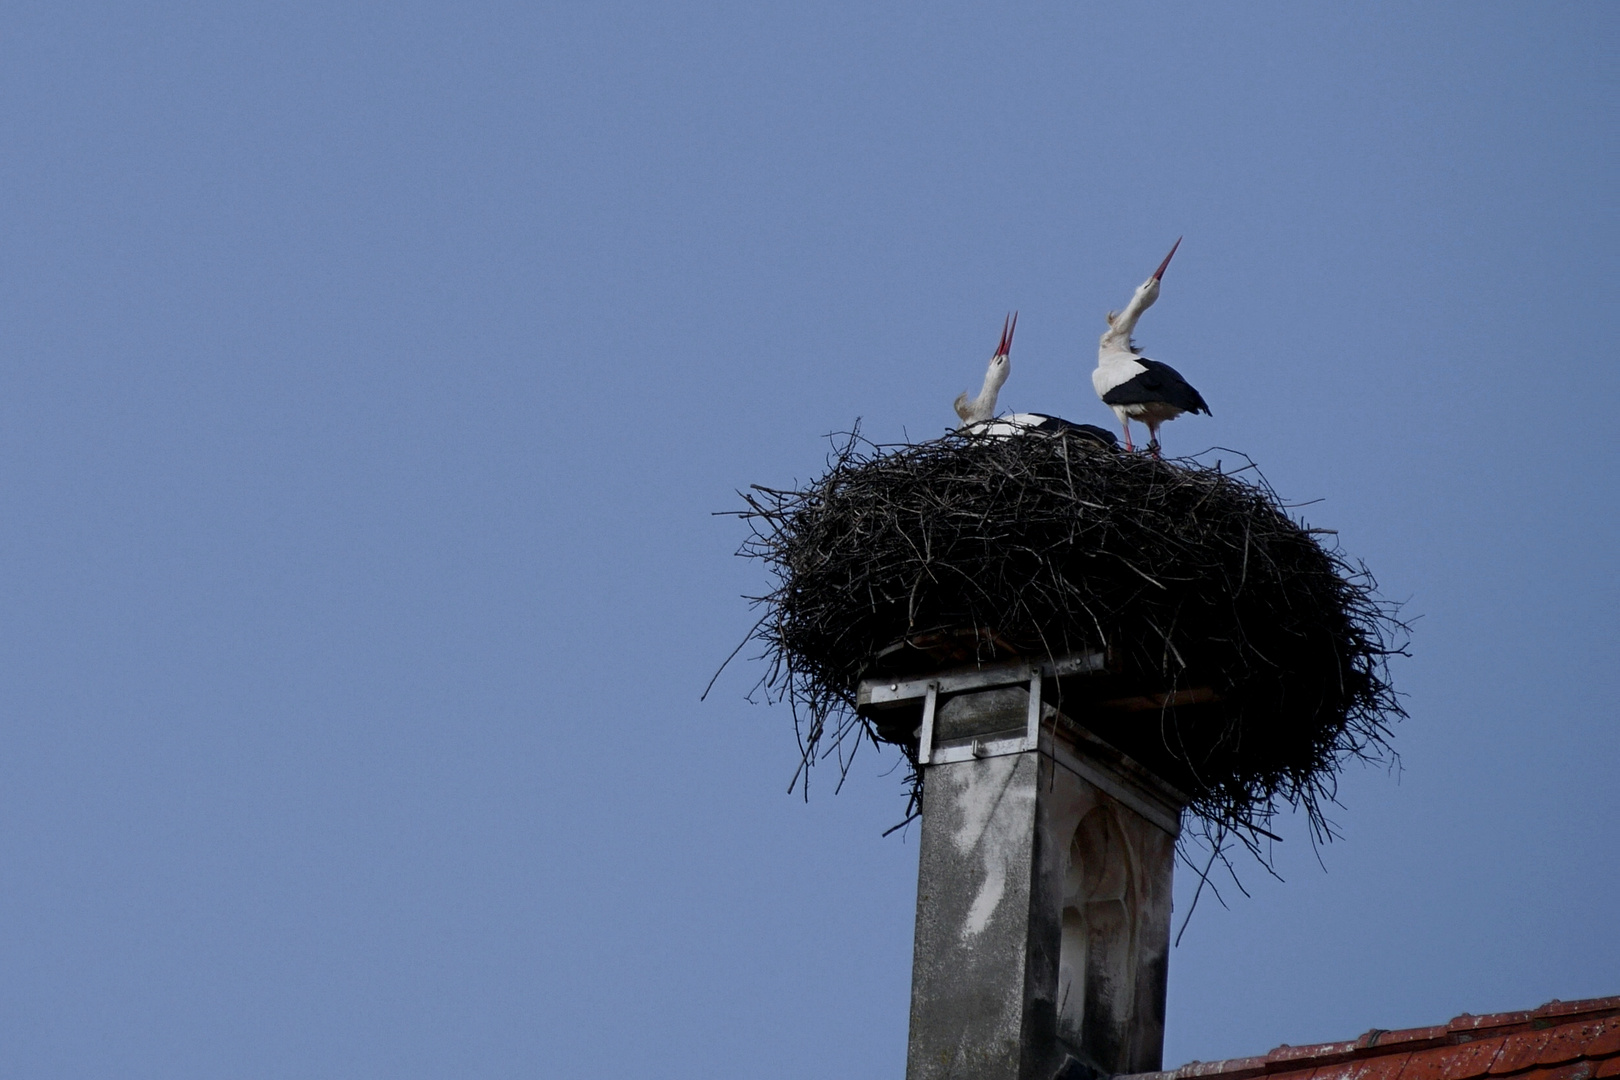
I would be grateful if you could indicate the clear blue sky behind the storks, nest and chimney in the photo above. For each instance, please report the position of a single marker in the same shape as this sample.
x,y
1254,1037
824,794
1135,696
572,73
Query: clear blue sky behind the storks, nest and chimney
x,y
370,378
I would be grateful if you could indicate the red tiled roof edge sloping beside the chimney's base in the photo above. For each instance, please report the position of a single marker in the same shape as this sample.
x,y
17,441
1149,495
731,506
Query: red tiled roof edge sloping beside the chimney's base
x,y
1564,1040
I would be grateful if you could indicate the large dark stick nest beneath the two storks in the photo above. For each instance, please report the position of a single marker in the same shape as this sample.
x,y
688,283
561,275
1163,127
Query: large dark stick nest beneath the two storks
x,y
1248,663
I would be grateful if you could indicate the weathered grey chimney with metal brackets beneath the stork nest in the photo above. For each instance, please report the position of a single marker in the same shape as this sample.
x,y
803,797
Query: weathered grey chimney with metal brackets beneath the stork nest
x,y
1044,888
